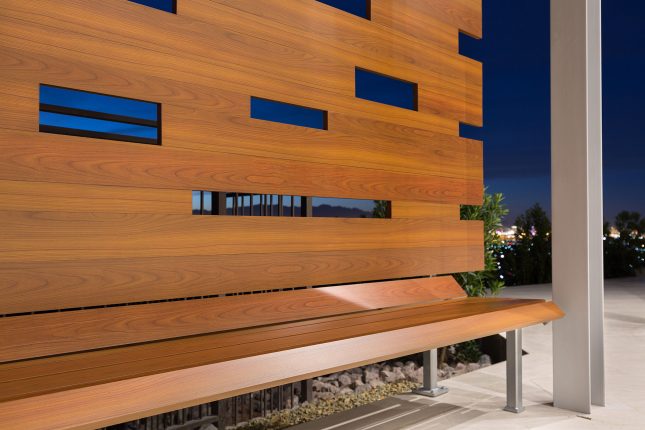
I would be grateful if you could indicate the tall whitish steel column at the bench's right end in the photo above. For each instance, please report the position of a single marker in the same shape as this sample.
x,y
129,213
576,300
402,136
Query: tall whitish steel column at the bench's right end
x,y
576,164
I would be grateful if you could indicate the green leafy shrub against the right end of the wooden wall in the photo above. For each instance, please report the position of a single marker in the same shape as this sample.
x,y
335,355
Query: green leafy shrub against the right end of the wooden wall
x,y
487,281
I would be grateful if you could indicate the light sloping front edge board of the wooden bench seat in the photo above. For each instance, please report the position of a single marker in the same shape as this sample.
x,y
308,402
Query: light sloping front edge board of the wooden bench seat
x,y
124,400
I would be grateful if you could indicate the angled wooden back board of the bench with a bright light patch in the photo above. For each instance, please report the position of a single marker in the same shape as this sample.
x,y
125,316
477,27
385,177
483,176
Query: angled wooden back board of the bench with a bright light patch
x,y
29,336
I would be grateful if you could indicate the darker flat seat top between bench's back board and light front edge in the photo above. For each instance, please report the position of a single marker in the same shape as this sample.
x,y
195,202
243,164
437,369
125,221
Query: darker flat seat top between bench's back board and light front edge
x,y
37,377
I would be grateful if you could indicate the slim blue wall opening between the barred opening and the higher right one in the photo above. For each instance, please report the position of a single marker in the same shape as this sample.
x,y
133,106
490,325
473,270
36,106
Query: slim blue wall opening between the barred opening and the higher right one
x,y
286,113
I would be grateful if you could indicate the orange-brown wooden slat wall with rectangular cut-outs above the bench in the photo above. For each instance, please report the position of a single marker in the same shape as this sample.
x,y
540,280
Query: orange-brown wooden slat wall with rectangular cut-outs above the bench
x,y
89,222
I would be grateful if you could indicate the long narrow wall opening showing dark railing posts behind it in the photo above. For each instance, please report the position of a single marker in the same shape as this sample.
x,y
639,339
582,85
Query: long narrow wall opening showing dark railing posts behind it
x,y
245,204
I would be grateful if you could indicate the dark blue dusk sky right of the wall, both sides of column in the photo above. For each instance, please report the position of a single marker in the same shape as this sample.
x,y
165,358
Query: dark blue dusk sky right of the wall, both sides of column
x,y
516,132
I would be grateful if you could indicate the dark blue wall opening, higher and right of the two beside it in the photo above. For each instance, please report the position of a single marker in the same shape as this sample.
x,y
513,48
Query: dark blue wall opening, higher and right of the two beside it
x,y
385,89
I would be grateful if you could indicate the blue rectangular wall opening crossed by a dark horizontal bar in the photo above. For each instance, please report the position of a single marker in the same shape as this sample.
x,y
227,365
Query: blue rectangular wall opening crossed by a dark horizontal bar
x,y
82,113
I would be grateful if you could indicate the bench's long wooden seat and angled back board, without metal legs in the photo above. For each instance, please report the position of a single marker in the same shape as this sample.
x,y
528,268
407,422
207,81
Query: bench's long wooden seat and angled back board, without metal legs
x,y
91,368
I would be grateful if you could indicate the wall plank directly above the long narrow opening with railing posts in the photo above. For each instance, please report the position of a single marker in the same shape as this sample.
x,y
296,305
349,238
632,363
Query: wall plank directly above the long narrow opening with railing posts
x,y
69,159
